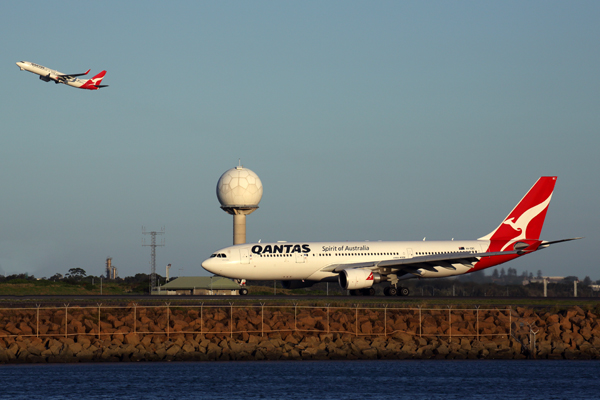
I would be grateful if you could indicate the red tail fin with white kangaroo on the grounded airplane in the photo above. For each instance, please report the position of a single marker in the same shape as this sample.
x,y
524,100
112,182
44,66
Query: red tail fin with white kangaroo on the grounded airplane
x,y
525,221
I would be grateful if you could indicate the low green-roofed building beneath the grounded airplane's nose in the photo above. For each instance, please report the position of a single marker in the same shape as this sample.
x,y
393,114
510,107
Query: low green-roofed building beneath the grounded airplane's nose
x,y
199,285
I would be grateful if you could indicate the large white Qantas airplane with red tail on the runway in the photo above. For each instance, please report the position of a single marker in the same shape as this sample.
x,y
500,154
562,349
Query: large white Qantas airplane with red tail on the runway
x,y
357,266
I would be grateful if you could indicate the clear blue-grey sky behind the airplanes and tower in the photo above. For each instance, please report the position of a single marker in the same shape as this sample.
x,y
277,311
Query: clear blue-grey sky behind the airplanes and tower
x,y
387,120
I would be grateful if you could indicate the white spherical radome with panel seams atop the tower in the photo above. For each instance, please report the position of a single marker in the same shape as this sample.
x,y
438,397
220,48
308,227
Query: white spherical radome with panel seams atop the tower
x,y
239,187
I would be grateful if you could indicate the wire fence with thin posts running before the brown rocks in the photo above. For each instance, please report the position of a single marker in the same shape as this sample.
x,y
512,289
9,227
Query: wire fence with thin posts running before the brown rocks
x,y
245,320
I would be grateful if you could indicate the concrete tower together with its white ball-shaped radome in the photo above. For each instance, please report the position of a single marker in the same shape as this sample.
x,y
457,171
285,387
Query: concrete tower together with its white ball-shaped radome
x,y
239,191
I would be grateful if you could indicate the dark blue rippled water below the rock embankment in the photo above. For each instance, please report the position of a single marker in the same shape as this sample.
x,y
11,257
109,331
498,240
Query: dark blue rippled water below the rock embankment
x,y
306,380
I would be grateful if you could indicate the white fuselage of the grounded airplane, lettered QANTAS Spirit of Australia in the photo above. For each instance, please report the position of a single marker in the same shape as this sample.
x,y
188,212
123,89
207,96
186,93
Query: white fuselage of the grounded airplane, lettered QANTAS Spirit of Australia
x,y
310,260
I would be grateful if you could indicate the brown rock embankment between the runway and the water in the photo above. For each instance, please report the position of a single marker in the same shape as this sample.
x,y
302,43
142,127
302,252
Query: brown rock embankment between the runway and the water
x,y
227,333
